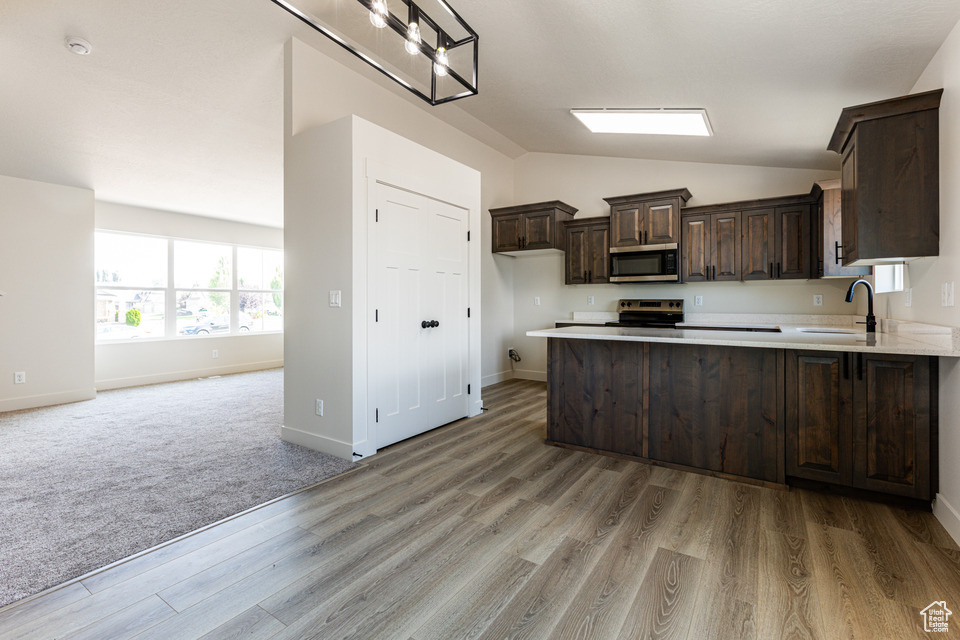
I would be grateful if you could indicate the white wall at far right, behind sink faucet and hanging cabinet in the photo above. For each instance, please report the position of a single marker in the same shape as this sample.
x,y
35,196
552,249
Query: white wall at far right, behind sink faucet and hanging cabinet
x,y
926,275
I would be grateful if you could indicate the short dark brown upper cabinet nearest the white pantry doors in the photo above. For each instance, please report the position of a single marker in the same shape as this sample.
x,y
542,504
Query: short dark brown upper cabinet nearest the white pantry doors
x,y
530,227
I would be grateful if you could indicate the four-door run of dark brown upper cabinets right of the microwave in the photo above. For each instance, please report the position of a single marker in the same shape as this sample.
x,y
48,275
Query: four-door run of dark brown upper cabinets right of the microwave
x,y
750,240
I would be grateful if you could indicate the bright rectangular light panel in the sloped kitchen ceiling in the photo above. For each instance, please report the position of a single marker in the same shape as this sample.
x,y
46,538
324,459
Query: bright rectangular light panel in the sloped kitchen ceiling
x,y
668,122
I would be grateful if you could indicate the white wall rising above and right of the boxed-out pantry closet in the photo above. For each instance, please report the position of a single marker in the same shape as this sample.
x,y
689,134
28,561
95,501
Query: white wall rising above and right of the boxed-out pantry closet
x,y
326,90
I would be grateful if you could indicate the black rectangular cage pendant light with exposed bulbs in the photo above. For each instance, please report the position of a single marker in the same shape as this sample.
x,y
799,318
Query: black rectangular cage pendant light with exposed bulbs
x,y
433,56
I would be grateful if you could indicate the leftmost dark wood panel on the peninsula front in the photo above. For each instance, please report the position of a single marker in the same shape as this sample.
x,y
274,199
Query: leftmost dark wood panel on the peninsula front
x,y
595,394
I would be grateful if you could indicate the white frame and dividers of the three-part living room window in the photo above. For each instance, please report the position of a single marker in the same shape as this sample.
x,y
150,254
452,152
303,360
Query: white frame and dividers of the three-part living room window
x,y
170,292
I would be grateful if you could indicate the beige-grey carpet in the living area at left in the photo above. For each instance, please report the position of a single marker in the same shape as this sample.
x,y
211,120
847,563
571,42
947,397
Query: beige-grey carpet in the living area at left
x,y
86,484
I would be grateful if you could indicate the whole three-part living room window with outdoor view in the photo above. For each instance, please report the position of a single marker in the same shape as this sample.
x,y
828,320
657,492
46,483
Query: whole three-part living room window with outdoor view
x,y
149,287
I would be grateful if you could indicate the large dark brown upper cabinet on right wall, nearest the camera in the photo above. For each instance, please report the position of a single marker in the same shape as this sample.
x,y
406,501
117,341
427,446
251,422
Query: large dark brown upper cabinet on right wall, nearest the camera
x,y
890,179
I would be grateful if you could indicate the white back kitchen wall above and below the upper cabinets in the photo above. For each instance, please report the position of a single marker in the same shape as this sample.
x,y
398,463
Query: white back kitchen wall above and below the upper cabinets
x,y
583,181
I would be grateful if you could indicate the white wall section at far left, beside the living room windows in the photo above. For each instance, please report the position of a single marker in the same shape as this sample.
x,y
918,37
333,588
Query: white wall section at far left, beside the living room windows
x,y
47,314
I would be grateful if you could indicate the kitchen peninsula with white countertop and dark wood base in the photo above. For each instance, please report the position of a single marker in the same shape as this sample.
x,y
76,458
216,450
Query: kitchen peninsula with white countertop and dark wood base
x,y
786,405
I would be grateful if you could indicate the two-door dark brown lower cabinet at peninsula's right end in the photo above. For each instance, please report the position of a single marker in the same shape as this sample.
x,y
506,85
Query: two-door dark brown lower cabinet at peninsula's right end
x,y
862,420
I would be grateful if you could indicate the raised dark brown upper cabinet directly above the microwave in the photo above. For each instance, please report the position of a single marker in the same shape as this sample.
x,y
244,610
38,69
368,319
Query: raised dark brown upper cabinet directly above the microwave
x,y
645,219
